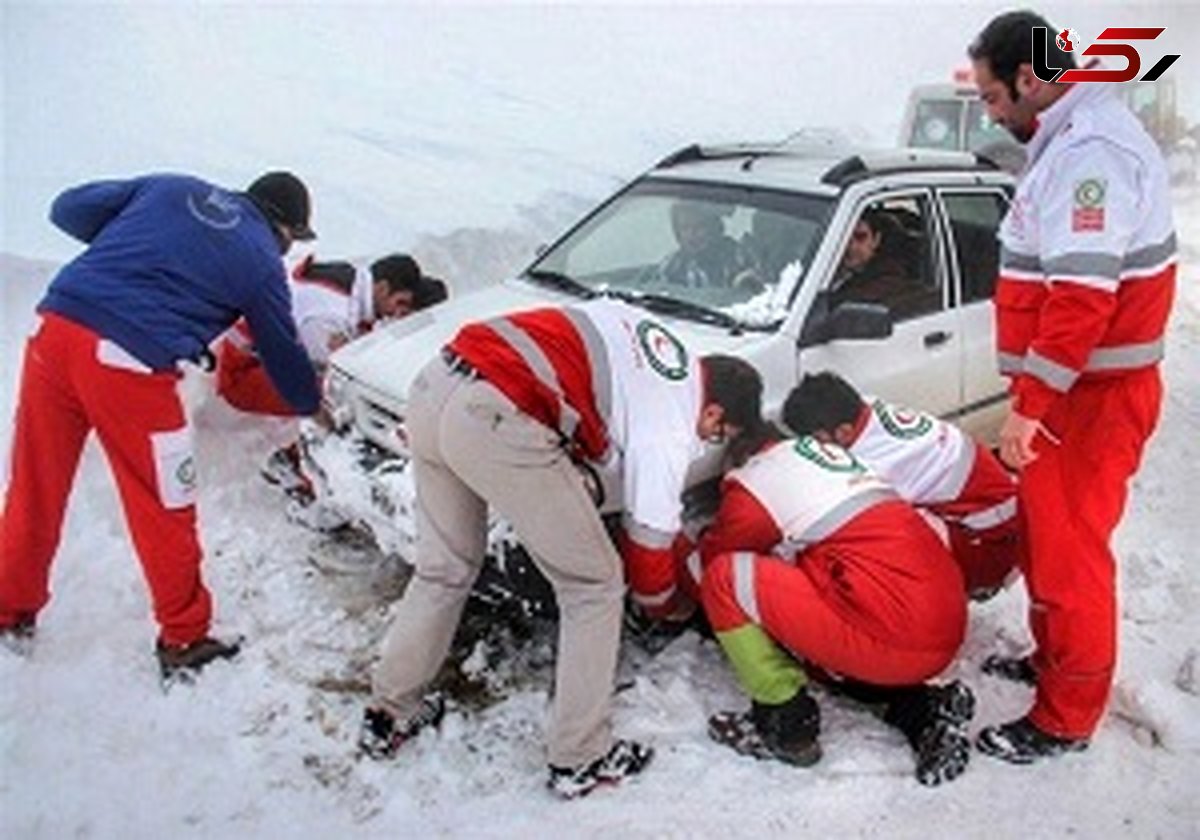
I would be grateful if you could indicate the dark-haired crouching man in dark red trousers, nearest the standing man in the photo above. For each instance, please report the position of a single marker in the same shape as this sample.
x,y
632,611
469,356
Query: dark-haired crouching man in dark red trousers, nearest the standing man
x,y
929,463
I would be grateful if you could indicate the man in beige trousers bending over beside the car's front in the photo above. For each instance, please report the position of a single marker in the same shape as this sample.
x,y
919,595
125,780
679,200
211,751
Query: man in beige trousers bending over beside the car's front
x,y
501,419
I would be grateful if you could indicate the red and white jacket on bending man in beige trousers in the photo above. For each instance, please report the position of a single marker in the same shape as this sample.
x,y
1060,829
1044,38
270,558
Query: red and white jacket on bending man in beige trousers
x,y
625,393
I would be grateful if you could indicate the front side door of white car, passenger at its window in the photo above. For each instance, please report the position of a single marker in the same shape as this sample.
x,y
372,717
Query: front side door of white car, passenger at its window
x,y
919,365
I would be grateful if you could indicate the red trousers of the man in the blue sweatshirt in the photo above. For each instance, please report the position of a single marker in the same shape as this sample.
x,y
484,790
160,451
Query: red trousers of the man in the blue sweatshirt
x,y
73,383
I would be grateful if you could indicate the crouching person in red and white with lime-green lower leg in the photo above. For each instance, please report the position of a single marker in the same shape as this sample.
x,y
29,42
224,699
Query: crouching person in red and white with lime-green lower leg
x,y
813,554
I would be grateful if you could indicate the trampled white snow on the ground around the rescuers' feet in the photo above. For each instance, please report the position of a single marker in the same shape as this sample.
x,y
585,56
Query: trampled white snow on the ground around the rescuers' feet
x,y
92,747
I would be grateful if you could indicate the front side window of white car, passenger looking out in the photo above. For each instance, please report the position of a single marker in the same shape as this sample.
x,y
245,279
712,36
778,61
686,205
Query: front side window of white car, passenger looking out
x,y
890,260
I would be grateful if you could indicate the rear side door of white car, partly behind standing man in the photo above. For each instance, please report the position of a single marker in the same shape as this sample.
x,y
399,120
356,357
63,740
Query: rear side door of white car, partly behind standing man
x,y
973,218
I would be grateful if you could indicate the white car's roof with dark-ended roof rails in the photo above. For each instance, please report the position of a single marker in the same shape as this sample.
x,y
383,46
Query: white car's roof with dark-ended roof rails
x,y
820,169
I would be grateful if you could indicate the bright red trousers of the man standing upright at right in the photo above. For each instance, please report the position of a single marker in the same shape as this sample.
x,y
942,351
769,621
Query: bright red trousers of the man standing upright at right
x,y
1072,497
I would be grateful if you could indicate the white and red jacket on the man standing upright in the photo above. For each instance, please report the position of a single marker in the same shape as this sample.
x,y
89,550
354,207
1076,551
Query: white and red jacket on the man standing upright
x,y
1089,253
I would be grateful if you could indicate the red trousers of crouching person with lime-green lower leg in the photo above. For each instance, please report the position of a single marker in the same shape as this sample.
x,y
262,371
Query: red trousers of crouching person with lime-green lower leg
x,y
880,601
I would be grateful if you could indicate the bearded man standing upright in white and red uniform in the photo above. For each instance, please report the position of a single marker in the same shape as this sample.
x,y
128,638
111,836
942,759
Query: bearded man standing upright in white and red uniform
x,y
1087,283
